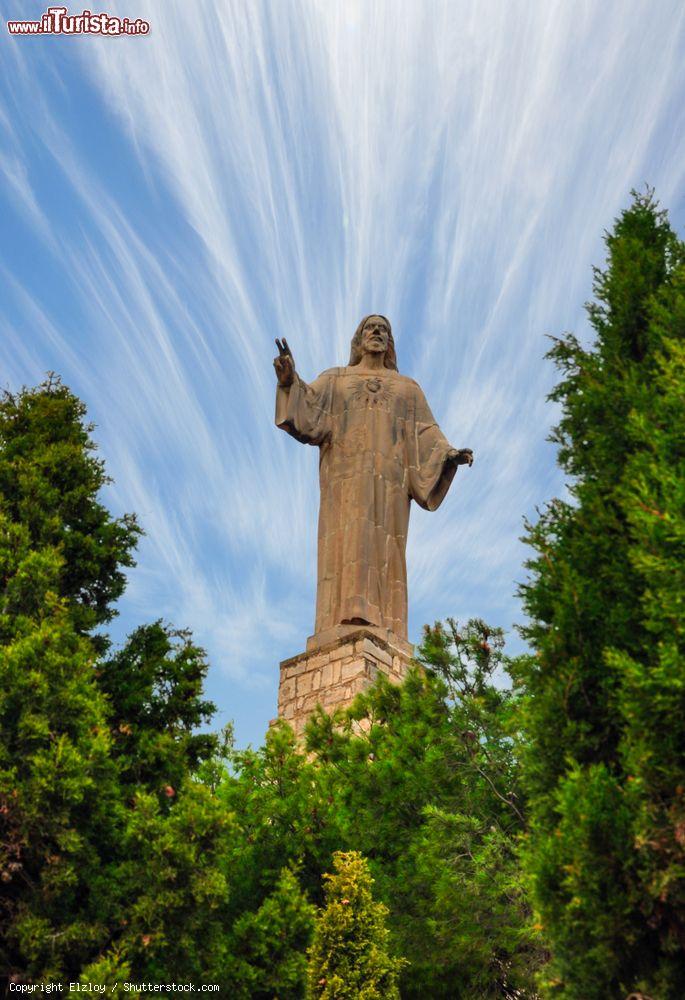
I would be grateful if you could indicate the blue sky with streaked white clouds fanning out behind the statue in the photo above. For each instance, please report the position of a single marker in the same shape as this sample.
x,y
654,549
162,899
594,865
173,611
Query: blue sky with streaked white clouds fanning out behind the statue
x,y
251,170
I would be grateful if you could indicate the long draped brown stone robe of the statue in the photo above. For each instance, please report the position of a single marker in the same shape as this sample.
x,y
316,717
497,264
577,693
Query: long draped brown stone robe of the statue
x,y
380,448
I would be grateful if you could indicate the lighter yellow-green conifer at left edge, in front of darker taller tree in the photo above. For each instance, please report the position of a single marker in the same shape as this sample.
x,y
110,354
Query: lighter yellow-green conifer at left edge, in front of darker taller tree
x,y
59,805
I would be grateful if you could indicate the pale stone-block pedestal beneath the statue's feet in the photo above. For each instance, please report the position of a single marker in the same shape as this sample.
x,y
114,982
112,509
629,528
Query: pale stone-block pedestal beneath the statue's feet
x,y
335,667
